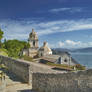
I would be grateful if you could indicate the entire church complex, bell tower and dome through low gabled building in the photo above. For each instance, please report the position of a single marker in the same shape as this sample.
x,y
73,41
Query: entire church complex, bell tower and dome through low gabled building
x,y
45,53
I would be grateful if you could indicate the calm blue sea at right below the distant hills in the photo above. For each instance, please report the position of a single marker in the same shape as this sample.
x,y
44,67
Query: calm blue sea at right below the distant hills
x,y
83,58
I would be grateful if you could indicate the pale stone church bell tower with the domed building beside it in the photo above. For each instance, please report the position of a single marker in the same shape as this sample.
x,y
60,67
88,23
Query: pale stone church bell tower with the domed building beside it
x,y
34,50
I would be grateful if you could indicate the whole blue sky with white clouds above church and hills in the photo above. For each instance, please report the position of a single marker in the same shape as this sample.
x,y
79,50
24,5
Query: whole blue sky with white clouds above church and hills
x,y
62,23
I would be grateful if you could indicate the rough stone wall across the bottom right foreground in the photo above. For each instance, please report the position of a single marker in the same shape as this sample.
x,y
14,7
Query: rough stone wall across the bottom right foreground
x,y
68,82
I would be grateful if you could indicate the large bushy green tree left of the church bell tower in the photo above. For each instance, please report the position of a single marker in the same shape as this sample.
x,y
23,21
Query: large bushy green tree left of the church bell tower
x,y
14,47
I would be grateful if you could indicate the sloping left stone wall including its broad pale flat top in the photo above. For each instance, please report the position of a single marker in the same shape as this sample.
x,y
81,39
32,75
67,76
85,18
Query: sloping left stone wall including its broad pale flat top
x,y
24,69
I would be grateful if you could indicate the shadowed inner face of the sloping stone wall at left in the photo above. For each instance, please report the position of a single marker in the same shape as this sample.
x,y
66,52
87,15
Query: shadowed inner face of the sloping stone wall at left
x,y
18,67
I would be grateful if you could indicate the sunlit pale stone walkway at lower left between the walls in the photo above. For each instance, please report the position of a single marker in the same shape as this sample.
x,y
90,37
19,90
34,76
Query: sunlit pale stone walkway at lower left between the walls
x,y
14,84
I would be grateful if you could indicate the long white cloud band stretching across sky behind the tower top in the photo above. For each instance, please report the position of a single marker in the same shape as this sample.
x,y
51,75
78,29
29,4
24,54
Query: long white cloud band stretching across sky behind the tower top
x,y
21,29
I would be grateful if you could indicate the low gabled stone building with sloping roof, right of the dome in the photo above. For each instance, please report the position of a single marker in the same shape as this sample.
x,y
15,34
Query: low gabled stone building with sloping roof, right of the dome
x,y
64,58
